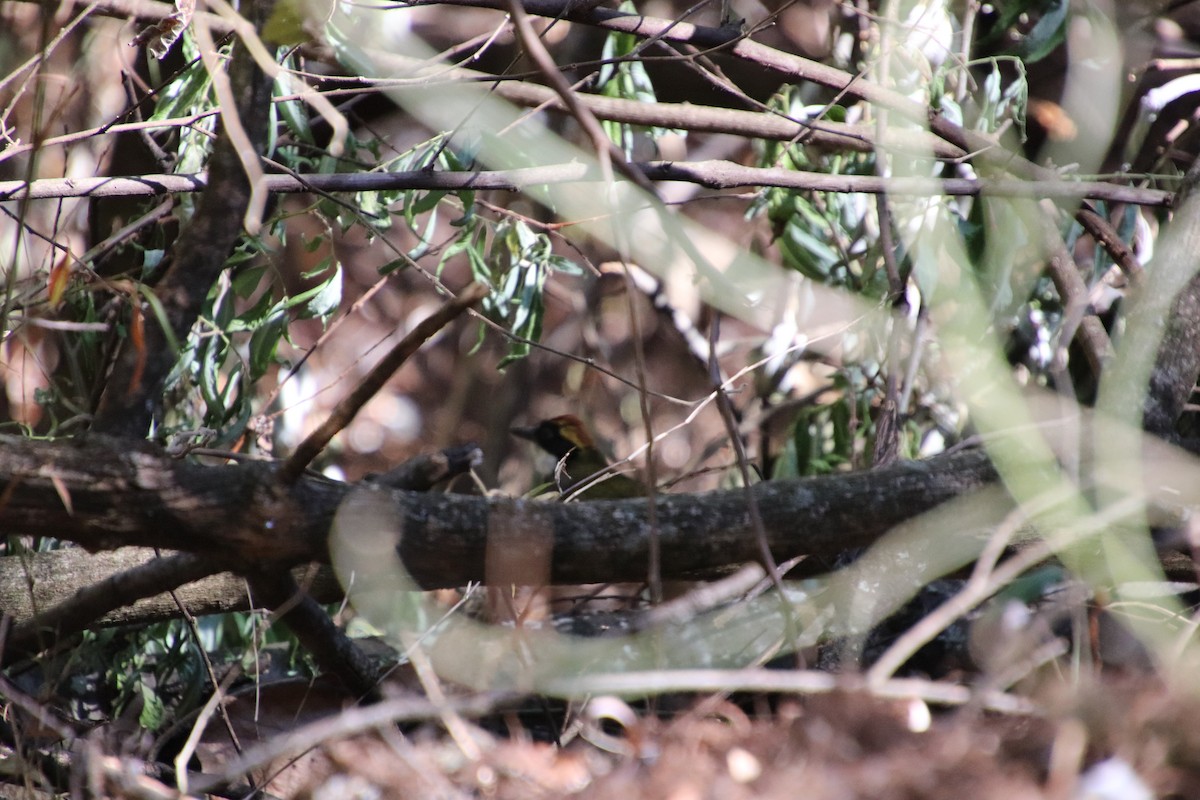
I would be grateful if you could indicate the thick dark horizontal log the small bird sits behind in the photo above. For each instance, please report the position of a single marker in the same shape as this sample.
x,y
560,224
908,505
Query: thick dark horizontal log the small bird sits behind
x,y
106,494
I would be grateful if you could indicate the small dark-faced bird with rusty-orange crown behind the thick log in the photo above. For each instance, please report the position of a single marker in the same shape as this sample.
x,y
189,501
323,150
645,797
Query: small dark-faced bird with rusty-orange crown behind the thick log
x,y
580,462
